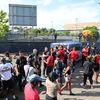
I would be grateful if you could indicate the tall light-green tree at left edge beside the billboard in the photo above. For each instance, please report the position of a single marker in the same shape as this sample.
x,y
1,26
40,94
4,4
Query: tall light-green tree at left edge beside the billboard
x,y
4,28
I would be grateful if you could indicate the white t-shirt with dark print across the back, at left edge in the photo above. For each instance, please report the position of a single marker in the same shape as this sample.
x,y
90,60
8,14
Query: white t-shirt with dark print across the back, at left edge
x,y
5,71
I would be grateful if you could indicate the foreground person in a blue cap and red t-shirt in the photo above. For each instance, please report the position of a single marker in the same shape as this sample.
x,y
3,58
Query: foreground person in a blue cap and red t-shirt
x,y
30,91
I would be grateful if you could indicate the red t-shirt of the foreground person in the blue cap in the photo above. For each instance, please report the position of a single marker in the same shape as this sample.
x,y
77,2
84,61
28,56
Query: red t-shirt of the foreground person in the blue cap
x,y
31,94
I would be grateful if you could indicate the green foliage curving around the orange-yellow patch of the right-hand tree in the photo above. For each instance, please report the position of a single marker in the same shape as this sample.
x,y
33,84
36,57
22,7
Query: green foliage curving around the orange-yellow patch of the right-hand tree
x,y
94,32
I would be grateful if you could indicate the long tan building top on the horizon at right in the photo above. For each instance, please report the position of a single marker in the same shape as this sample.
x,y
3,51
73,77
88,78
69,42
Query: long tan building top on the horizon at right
x,y
80,25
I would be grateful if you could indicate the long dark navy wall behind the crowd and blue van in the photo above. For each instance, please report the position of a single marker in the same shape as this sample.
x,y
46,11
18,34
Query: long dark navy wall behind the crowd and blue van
x,y
26,46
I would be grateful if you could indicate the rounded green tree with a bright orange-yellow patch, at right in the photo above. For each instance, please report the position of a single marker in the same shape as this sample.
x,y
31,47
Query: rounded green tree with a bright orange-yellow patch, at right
x,y
90,33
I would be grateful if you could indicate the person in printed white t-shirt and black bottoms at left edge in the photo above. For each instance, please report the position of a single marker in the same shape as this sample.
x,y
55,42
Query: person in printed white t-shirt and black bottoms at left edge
x,y
6,78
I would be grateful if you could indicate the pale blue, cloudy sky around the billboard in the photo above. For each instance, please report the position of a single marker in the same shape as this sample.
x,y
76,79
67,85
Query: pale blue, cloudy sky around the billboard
x,y
57,13
